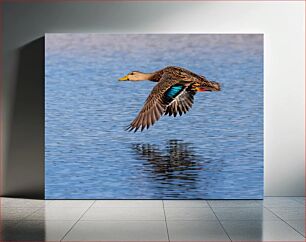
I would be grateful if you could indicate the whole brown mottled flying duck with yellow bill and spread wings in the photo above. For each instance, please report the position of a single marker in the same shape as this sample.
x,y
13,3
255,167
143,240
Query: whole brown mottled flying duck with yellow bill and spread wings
x,y
162,100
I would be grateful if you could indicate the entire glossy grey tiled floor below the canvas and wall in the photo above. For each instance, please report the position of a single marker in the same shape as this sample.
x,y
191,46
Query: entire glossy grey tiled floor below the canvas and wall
x,y
274,219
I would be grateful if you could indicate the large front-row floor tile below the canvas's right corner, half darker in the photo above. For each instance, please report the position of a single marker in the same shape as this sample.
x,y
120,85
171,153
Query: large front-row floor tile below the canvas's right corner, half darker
x,y
260,231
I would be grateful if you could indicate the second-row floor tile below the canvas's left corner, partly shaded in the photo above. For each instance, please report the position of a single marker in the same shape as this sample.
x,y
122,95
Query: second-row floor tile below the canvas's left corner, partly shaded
x,y
57,213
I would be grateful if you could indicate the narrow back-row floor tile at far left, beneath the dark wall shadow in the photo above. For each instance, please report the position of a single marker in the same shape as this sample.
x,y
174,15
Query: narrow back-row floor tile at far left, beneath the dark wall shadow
x,y
21,203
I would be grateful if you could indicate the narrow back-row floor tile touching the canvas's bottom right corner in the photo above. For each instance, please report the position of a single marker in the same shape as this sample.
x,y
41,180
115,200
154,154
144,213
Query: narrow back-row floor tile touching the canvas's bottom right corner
x,y
235,203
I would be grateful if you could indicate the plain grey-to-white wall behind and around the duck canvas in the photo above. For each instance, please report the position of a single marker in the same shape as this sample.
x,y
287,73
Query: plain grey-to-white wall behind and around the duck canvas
x,y
283,25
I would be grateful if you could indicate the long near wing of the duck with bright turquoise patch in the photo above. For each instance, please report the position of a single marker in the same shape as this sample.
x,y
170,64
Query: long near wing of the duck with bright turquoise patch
x,y
163,94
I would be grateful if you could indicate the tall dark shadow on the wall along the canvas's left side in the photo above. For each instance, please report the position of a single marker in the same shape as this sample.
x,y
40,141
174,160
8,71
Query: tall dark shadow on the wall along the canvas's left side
x,y
25,159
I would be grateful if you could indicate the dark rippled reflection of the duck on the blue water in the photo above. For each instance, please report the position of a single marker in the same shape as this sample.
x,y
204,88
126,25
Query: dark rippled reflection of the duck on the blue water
x,y
177,162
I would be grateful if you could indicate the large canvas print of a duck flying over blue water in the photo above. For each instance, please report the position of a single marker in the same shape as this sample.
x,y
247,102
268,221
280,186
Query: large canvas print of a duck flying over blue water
x,y
153,116
